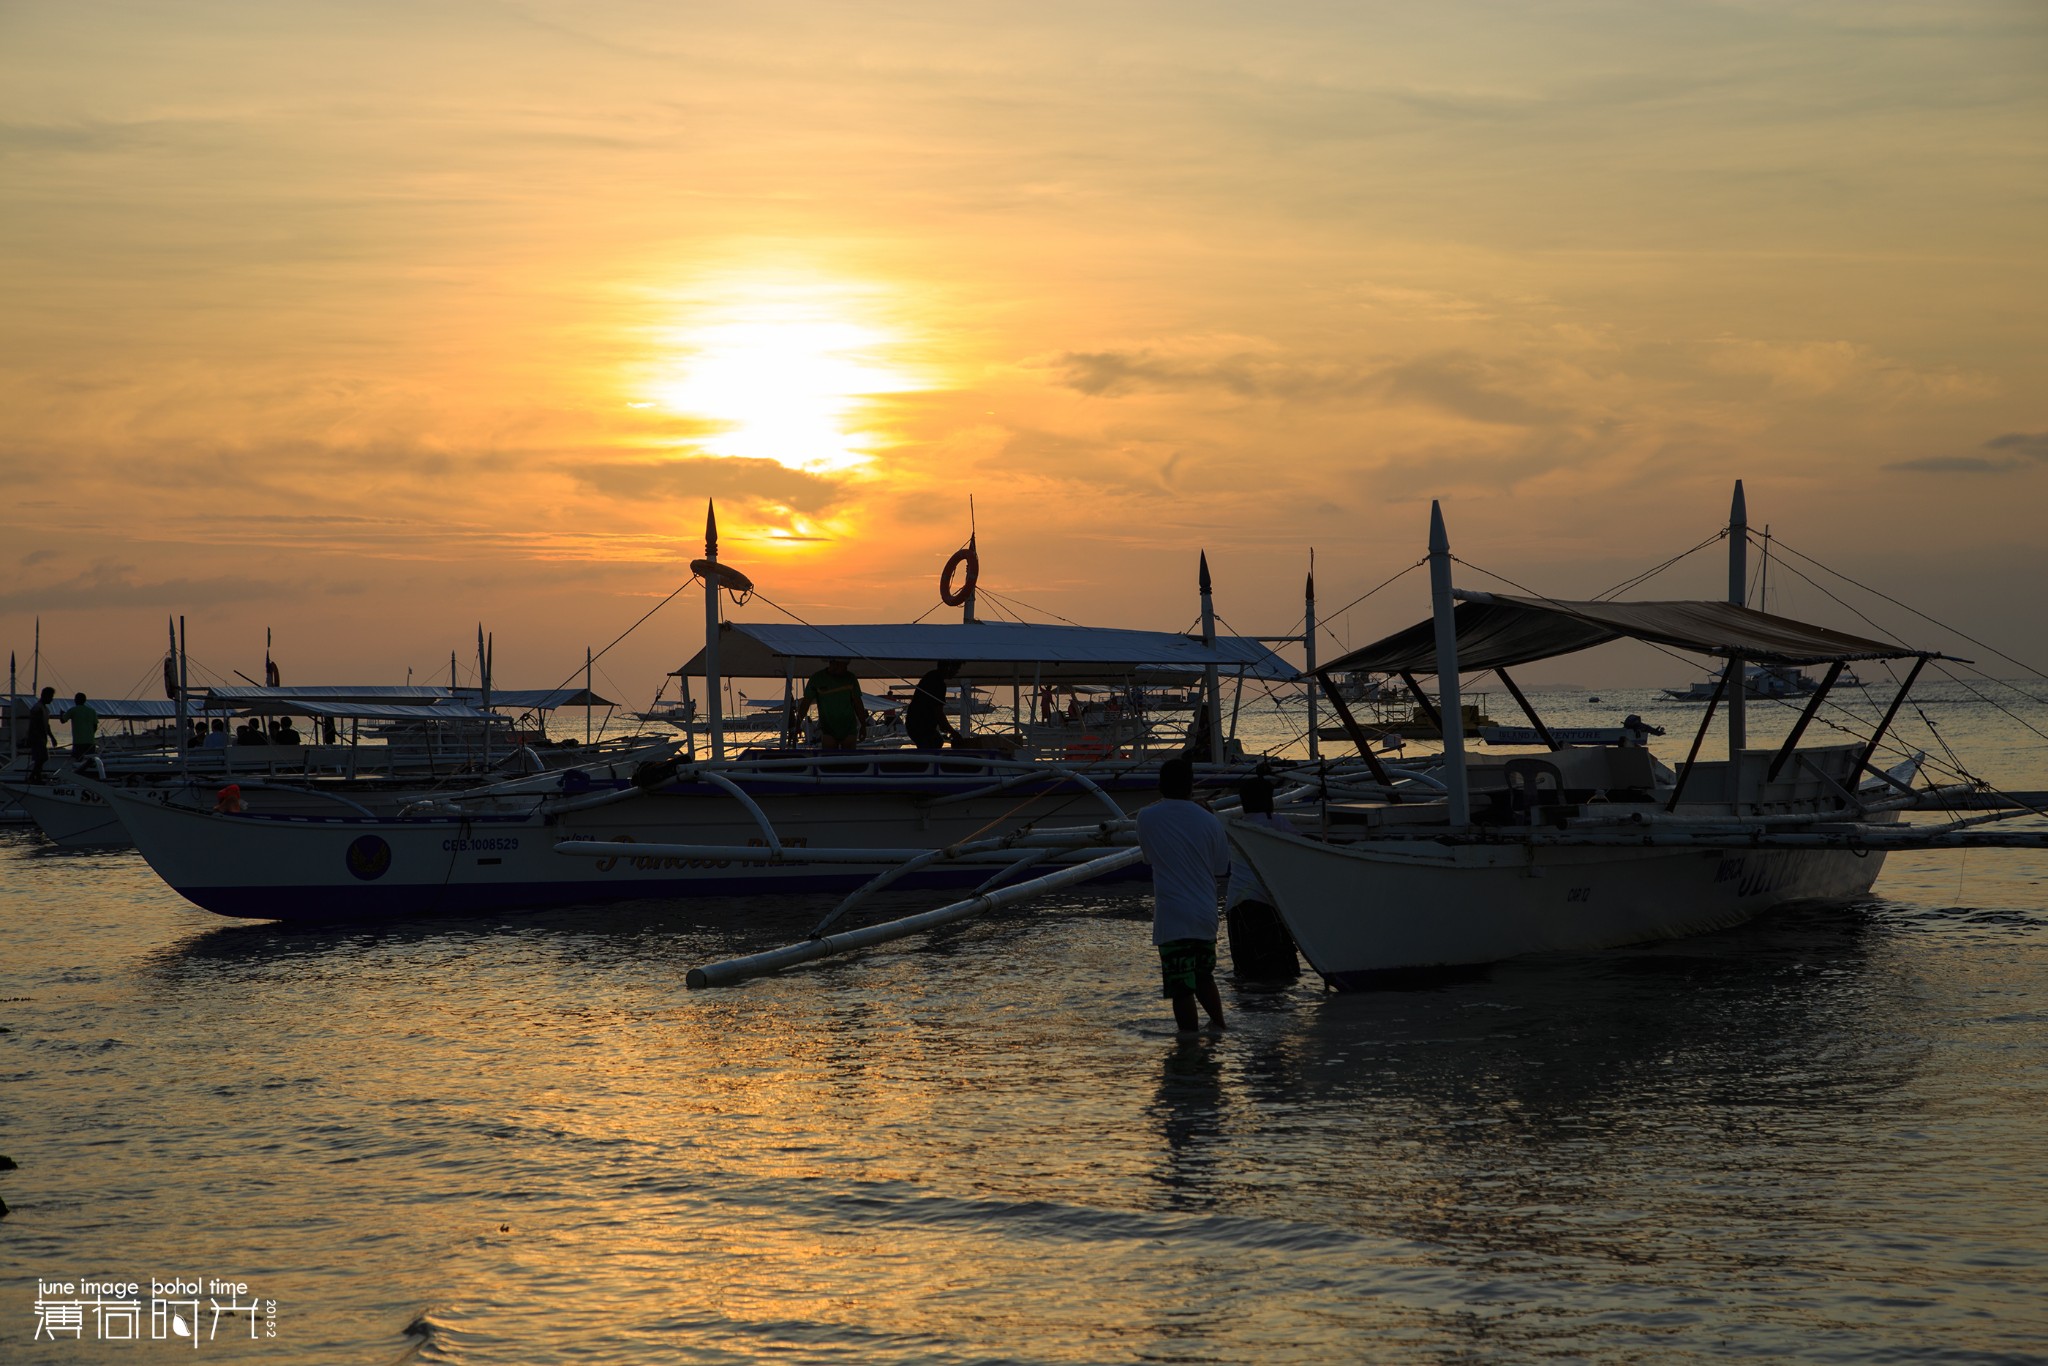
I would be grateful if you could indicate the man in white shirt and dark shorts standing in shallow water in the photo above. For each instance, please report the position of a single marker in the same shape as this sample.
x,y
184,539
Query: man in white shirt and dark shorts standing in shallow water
x,y
1189,857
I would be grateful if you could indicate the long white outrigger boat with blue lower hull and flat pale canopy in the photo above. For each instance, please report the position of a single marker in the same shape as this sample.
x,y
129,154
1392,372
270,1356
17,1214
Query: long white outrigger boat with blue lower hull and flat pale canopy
x,y
710,822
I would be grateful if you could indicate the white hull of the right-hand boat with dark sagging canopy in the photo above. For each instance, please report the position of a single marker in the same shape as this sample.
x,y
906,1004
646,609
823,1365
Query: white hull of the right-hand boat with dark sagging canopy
x,y
1398,906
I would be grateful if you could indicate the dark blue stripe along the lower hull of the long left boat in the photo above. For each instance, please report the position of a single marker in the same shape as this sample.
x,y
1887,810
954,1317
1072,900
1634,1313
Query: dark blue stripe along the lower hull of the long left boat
x,y
423,902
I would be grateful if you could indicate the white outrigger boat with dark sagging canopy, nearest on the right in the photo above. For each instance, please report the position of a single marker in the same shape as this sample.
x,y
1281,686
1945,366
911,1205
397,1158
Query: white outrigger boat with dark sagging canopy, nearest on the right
x,y
1592,847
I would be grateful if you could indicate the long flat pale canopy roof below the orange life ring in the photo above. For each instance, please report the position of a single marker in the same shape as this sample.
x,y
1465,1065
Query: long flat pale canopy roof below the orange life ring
x,y
988,652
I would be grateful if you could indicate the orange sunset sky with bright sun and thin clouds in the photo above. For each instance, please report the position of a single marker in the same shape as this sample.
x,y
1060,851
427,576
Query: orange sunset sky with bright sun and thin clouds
x,y
368,321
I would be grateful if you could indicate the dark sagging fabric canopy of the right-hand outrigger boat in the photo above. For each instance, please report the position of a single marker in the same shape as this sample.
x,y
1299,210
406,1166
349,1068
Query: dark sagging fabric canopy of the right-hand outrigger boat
x,y
1496,632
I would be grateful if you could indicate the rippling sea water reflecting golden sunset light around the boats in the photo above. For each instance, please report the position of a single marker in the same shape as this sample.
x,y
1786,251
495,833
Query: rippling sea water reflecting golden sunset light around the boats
x,y
1818,1138
